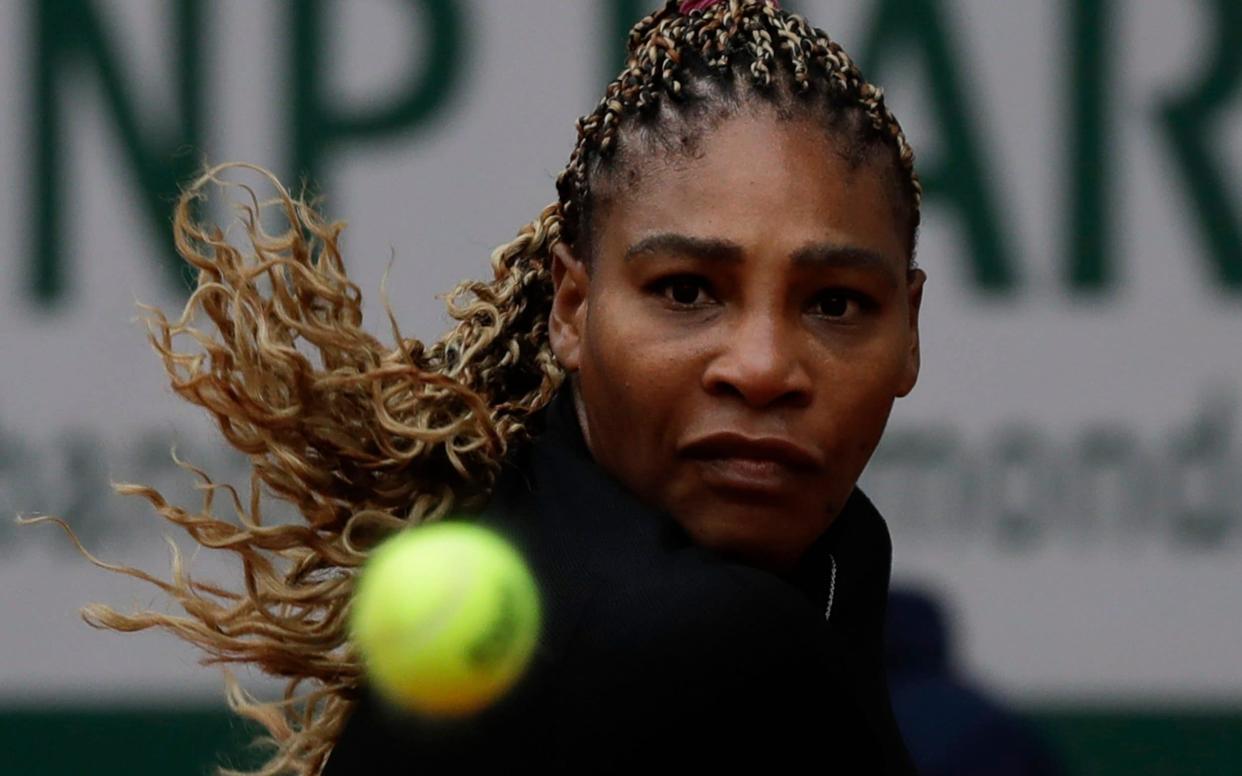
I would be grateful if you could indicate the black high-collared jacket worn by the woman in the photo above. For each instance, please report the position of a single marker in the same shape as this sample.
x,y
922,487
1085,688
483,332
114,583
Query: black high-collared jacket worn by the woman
x,y
656,652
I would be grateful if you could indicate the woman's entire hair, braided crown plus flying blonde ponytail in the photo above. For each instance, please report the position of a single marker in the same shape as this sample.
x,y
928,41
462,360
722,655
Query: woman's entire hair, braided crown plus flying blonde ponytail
x,y
365,439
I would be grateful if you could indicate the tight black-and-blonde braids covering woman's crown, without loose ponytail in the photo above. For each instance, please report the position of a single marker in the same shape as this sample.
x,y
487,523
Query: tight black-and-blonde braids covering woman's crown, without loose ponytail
x,y
673,52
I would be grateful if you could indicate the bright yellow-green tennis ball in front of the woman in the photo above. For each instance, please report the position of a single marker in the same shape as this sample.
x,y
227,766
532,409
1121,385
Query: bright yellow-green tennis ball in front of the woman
x,y
445,618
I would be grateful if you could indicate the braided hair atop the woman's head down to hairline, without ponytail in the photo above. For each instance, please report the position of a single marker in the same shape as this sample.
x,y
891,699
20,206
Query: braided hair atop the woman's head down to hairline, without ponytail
x,y
696,64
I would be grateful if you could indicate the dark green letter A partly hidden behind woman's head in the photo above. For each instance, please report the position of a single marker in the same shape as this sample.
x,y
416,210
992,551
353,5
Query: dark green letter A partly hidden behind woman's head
x,y
961,177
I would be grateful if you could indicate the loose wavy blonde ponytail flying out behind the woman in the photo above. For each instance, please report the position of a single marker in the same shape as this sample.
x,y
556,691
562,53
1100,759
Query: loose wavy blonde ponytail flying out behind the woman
x,y
371,441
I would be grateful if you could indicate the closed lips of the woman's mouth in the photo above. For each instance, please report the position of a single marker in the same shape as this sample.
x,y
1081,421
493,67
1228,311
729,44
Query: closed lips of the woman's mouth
x,y
755,466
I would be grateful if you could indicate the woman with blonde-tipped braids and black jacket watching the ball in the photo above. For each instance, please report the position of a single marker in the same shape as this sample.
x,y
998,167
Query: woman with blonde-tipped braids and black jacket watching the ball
x,y
727,280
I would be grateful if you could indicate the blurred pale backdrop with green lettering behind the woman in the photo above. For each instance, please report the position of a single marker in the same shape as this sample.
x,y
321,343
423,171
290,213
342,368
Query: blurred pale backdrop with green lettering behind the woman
x,y
1064,486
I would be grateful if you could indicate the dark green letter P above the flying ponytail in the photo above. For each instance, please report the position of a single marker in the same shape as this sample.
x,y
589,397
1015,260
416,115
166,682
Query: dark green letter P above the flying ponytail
x,y
319,127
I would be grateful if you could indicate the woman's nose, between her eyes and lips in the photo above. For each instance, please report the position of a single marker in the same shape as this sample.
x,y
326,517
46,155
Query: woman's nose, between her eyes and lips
x,y
759,361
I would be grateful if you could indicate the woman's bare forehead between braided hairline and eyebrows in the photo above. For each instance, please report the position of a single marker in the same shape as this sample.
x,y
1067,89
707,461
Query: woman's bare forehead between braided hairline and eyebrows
x,y
757,181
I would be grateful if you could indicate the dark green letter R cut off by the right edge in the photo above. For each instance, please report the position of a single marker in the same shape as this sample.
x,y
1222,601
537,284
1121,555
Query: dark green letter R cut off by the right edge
x,y
1188,124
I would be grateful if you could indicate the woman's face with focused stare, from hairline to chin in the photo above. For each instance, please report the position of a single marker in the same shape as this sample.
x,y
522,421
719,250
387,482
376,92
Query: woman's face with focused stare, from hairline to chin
x,y
742,333
